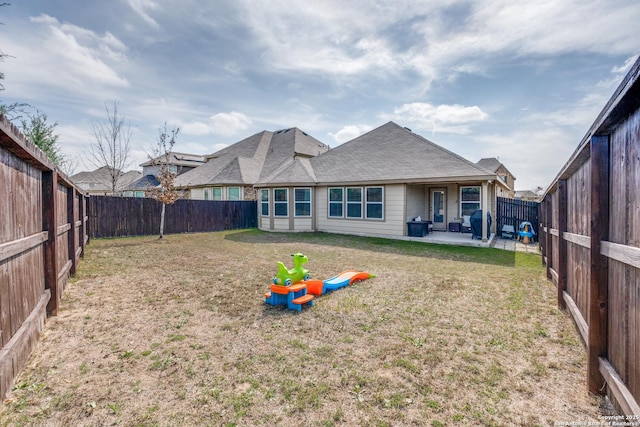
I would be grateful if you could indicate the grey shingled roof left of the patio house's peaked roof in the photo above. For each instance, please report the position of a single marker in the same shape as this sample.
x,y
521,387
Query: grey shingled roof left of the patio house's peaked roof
x,y
247,161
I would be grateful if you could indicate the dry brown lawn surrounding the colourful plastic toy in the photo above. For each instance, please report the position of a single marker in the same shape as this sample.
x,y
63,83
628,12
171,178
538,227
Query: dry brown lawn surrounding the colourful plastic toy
x,y
176,333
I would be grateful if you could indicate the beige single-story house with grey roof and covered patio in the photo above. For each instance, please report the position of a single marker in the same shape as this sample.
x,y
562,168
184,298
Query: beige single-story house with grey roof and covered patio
x,y
376,183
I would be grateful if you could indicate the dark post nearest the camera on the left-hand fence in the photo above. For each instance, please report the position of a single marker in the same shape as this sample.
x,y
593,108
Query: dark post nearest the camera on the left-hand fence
x,y
49,189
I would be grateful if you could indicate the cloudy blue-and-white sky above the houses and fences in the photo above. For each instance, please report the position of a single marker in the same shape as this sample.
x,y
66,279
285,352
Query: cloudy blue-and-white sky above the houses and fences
x,y
518,80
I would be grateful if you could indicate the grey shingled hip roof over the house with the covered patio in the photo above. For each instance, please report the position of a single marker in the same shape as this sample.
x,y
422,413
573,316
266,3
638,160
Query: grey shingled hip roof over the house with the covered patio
x,y
390,153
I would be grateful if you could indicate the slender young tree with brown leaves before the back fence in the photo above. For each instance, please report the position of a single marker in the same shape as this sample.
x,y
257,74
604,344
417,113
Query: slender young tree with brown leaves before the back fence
x,y
164,192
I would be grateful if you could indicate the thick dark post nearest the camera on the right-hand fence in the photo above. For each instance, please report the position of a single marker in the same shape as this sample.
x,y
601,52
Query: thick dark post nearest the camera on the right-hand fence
x,y
599,269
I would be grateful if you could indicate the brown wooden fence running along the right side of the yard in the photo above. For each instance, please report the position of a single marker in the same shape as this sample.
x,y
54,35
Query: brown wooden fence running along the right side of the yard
x,y
591,244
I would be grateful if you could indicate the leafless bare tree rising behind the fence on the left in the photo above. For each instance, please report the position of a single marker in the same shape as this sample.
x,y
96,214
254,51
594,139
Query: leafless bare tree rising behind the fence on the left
x,y
112,146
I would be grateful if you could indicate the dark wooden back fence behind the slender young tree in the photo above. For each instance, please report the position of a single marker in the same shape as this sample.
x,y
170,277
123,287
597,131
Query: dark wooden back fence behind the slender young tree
x,y
129,216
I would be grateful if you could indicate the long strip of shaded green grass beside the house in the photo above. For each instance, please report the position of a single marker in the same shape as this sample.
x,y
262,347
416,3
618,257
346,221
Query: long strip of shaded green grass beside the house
x,y
488,256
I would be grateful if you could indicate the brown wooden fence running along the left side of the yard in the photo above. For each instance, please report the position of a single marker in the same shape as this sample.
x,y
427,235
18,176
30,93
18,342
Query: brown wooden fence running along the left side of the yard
x,y
42,236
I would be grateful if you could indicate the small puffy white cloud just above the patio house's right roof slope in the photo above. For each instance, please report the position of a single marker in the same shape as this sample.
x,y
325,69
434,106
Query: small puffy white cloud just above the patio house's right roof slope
x,y
442,118
